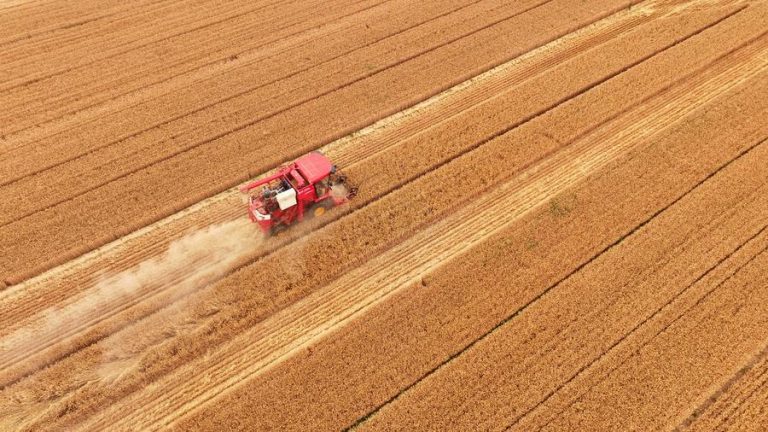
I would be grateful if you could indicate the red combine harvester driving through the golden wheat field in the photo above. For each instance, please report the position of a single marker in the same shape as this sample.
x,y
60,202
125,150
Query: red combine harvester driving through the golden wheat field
x,y
305,188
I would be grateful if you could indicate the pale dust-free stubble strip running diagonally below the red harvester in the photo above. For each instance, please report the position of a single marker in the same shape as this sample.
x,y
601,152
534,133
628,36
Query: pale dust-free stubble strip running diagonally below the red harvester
x,y
364,286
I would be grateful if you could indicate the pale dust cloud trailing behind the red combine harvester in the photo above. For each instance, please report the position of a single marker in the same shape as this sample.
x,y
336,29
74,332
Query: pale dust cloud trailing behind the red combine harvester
x,y
189,263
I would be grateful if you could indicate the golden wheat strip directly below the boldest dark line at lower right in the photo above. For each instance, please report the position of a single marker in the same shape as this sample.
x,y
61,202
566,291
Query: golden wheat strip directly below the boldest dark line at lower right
x,y
585,313
